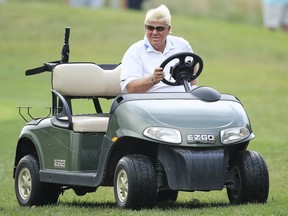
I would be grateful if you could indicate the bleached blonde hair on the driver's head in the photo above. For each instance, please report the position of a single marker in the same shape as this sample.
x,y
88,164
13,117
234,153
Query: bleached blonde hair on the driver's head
x,y
159,14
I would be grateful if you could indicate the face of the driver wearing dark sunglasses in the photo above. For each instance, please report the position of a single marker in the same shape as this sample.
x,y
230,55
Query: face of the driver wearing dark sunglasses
x,y
156,32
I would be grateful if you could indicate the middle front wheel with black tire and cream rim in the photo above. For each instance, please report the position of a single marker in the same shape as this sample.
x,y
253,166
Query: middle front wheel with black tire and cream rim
x,y
135,182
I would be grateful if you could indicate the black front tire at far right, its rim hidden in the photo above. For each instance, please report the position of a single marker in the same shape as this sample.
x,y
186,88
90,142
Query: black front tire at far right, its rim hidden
x,y
251,179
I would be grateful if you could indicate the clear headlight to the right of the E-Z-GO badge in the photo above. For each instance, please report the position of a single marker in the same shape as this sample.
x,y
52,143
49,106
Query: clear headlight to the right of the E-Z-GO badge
x,y
232,135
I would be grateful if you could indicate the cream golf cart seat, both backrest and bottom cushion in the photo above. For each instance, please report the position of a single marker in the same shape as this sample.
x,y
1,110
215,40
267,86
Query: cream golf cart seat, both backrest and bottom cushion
x,y
84,80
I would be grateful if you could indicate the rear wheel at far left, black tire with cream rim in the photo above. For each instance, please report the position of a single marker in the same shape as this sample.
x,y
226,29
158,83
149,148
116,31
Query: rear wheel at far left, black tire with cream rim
x,y
28,188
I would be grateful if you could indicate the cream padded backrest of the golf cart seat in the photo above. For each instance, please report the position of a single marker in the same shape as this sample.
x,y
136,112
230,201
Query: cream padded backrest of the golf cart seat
x,y
86,80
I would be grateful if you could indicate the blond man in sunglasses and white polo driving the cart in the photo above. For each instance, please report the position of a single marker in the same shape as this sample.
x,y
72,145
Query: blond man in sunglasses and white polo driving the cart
x,y
140,64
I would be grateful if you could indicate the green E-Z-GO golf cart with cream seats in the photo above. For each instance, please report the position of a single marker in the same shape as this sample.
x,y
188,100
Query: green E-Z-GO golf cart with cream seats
x,y
148,146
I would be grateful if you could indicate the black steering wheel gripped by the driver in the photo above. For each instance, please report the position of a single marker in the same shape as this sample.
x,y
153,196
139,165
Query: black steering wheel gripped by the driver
x,y
183,71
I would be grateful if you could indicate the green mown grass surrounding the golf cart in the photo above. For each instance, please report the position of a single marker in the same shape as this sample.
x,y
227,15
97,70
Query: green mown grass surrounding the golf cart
x,y
240,58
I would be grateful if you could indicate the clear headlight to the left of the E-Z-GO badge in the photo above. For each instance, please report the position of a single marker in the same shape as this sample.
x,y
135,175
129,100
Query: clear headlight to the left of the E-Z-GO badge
x,y
169,135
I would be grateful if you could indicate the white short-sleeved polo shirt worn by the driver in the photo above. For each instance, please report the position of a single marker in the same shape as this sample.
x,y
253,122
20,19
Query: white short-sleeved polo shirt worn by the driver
x,y
141,59
